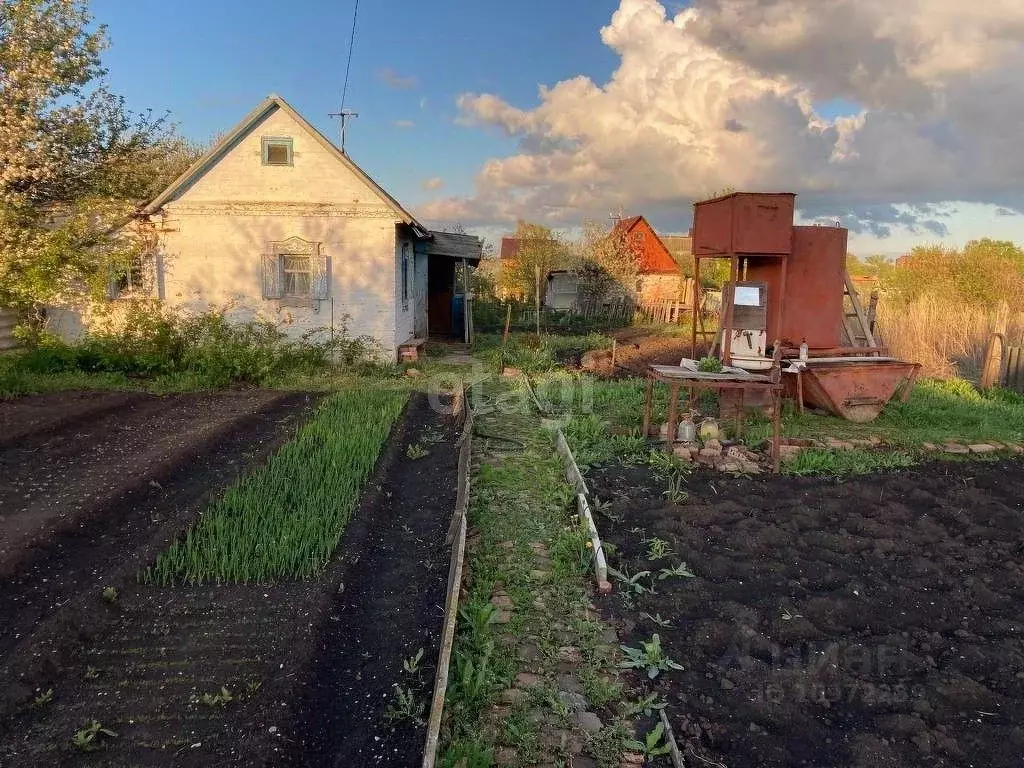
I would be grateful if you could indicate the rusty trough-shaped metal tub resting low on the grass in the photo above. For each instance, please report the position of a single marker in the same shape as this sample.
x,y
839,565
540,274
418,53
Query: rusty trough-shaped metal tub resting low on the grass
x,y
856,389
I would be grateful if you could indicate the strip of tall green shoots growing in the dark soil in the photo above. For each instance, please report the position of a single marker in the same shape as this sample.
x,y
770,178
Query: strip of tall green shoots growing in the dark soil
x,y
286,520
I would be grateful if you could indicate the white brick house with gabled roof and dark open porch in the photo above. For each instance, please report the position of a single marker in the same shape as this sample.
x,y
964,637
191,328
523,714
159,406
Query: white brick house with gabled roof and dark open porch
x,y
276,222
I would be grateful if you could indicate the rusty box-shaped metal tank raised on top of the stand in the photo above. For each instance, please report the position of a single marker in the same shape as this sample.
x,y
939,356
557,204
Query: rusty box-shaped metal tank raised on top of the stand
x,y
745,224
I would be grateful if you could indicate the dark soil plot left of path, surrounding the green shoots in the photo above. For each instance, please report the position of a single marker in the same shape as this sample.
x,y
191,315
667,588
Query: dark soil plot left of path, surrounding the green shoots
x,y
93,499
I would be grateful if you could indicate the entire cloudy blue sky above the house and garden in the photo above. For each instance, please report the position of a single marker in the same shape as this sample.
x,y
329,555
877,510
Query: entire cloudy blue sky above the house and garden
x,y
901,119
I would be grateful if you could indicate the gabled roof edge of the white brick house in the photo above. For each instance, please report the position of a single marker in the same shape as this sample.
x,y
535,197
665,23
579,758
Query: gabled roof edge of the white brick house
x,y
272,103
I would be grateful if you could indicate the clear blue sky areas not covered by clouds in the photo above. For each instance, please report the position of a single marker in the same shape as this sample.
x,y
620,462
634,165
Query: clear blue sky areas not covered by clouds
x,y
210,63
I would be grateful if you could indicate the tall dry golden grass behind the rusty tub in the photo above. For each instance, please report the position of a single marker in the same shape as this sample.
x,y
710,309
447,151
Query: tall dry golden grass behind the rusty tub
x,y
949,339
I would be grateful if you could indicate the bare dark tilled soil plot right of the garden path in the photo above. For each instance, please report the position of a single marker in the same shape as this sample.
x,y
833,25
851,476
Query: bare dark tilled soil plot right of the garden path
x,y
873,623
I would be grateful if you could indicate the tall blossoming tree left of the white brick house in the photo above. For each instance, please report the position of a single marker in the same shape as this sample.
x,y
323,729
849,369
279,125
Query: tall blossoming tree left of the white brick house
x,y
75,160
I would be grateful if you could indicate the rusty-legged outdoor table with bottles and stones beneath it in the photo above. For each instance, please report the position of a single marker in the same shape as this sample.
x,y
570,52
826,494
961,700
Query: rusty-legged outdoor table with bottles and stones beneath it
x,y
676,377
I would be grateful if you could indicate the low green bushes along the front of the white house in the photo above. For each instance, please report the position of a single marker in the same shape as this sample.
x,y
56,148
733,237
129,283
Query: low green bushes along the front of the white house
x,y
206,348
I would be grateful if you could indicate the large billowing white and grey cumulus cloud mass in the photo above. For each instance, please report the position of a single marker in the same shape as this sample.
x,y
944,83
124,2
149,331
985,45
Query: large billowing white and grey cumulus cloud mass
x,y
724,95
